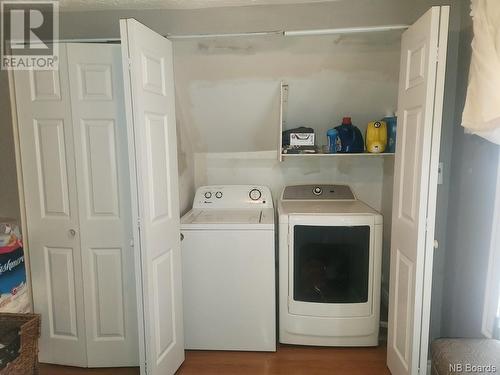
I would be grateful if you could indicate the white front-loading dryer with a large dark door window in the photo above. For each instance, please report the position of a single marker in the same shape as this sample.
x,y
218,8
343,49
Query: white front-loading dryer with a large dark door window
x,y
330,249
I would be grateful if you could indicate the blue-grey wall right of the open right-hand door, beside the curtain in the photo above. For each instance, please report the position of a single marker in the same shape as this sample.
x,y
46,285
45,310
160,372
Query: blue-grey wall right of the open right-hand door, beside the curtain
x,y
470,215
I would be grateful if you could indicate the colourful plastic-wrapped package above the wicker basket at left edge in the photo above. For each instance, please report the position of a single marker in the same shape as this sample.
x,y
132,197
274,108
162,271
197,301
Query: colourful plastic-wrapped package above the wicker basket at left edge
x,y
14,296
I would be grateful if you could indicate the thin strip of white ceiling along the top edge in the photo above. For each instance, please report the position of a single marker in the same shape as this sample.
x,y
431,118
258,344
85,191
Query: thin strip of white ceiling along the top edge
x,y
80,5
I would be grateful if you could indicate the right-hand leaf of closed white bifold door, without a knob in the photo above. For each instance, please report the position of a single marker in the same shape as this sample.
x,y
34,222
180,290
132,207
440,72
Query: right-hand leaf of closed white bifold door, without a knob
x,y
102,177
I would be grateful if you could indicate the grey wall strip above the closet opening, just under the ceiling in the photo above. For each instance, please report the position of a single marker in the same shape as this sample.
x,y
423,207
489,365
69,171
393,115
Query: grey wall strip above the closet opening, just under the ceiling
x,y
344,13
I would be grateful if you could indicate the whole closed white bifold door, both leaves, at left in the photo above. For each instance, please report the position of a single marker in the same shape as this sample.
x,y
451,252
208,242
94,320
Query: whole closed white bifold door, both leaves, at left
x,y
74,158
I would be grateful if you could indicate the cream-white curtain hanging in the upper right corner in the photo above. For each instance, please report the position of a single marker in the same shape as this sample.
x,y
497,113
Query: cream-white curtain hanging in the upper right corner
x,y
481,113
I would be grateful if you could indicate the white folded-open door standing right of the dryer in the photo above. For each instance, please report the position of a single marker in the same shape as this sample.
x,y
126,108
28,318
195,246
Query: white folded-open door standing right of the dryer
x,y
414,202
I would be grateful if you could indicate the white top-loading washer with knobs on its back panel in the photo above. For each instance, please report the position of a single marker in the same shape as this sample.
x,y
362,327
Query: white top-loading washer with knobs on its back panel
x,y
228,269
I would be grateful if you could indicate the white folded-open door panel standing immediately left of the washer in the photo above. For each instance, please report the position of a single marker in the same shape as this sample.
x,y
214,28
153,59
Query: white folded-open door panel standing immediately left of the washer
x,y
149,87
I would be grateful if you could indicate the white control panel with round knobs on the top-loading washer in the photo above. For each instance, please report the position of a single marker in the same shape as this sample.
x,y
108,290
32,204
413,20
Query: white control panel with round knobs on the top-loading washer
x,y
233,196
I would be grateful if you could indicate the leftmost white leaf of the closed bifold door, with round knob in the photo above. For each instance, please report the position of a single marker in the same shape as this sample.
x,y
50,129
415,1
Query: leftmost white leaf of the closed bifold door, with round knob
x,y
49,177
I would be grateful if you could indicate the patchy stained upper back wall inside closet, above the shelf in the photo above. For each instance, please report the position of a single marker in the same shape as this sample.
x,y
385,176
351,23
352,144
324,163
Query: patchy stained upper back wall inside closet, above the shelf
x,y
230,86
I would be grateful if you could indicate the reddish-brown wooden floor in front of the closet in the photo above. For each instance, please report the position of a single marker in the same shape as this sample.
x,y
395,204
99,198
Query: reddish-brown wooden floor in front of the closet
x,y
288,360
